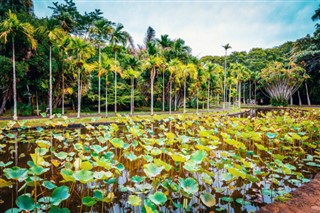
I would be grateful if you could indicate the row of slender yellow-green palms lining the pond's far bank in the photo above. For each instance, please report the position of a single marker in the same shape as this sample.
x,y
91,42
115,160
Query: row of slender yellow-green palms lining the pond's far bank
x,y
171,58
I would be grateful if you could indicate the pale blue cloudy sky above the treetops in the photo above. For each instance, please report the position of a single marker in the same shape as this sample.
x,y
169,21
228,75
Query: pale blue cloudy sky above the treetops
x,y
206,25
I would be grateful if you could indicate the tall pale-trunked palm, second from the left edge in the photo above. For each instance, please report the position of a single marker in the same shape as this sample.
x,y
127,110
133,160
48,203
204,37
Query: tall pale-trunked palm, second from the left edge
x,y
53,33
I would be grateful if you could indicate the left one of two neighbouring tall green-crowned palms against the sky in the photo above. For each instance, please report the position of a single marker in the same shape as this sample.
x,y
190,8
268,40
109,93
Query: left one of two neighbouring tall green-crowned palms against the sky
x,y
100,32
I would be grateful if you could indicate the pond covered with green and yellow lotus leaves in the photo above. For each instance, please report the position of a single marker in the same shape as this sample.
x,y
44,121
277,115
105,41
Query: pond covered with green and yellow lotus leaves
x,y
178,164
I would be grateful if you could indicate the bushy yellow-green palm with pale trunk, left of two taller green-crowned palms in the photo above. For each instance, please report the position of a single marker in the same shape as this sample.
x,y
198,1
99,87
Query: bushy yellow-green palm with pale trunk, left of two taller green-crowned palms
x,y
82,51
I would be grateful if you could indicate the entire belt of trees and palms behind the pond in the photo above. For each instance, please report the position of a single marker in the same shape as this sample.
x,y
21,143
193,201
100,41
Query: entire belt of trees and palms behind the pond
x,y
85,62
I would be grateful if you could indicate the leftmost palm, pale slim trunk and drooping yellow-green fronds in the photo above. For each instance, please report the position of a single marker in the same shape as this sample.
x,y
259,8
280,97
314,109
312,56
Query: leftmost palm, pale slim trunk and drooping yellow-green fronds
x,y
12,27
